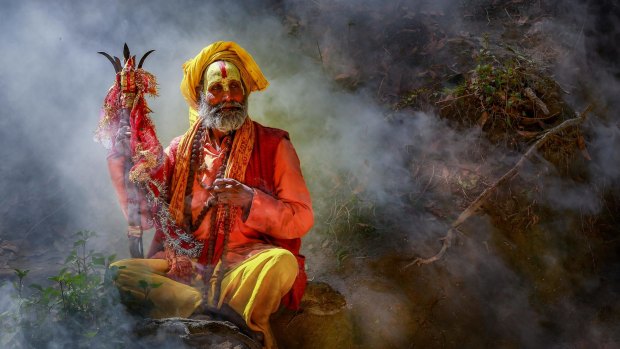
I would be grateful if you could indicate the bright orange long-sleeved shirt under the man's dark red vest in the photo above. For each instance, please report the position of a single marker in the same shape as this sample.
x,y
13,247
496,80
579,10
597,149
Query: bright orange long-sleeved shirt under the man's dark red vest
x,y
286,214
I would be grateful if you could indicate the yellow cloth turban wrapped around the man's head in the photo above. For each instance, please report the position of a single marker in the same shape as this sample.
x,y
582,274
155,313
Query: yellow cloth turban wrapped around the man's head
x,y
251,76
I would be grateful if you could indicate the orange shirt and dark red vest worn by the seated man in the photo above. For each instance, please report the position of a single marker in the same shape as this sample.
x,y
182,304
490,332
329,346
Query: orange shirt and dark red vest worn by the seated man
x,y
281,209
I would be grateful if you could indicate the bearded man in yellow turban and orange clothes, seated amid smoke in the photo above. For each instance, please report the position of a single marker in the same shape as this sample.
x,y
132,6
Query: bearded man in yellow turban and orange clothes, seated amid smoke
x,y
236,199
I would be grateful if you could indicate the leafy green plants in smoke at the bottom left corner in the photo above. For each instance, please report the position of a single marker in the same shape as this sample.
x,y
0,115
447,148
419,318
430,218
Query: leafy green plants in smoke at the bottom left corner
x,y
78,304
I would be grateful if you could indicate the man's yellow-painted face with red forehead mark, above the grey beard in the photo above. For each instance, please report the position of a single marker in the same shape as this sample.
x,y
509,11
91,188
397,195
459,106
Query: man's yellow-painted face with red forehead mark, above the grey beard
x,y
222,83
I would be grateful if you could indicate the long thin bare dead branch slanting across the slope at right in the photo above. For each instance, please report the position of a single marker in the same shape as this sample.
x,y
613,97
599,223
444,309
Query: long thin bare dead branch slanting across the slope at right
x,y
482,198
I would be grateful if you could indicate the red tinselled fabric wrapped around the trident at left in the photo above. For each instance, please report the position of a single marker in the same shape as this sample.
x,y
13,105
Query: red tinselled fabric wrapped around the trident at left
x,y
145,153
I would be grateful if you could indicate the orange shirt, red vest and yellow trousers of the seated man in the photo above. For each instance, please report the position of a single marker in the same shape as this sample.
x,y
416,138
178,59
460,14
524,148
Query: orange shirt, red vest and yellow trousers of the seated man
x,y
260,275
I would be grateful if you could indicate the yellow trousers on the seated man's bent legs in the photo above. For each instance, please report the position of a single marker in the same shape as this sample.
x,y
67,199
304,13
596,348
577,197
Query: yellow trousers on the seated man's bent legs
x,y
253,289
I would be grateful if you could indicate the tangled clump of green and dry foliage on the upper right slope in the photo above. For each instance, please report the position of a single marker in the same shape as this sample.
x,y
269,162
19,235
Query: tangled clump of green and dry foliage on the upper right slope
x,y
507,95
